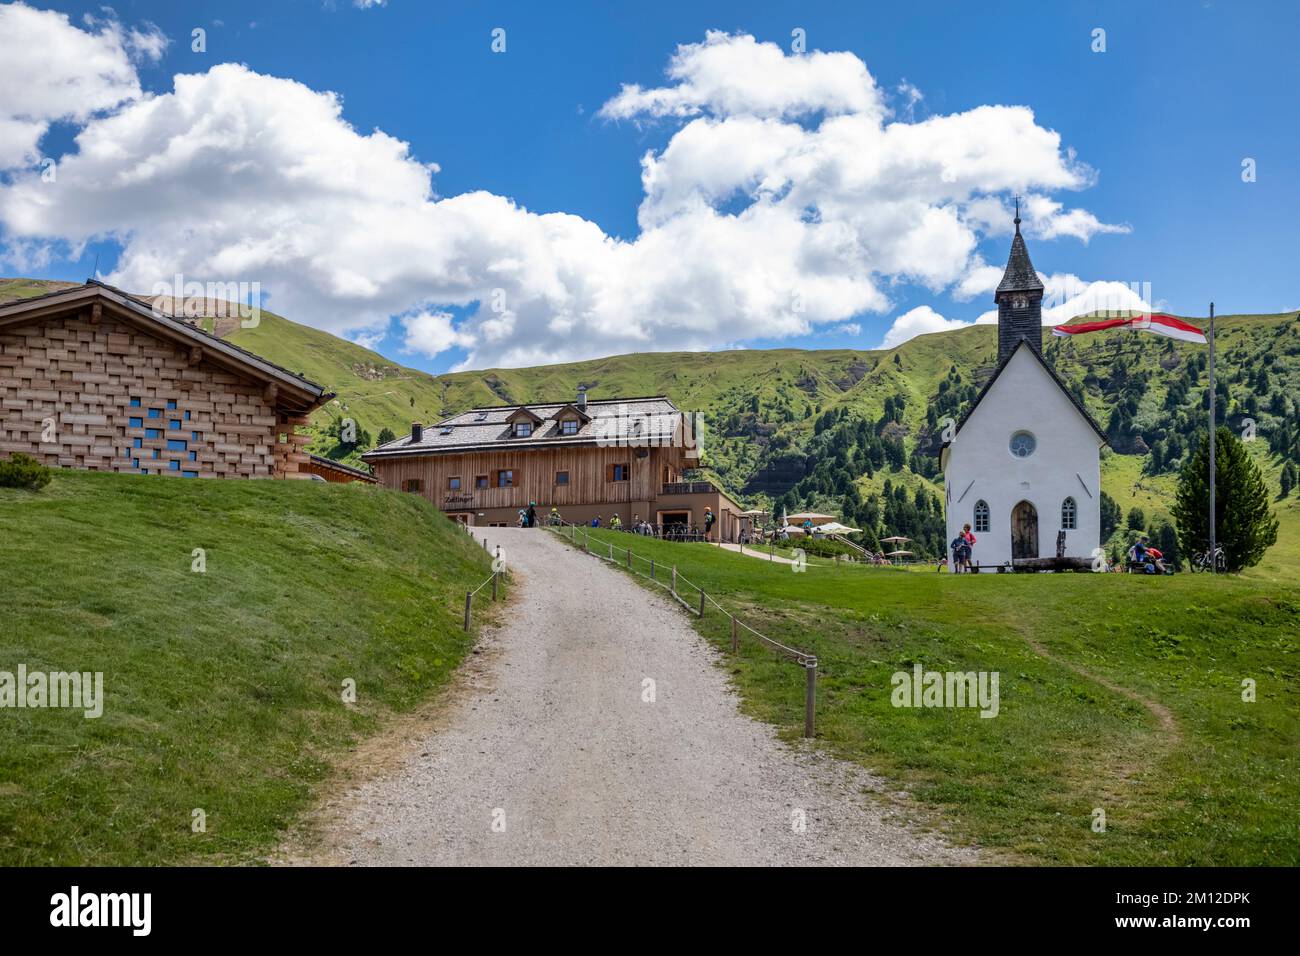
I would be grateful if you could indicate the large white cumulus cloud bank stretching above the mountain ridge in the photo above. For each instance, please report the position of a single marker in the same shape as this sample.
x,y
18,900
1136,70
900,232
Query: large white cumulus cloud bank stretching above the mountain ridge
x,y
787,201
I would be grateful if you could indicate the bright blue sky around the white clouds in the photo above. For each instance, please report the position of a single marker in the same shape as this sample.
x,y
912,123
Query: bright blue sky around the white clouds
x,y
1163,119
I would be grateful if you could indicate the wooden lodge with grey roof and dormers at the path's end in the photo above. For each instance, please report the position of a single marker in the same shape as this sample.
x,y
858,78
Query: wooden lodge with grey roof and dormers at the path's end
x,y
587,458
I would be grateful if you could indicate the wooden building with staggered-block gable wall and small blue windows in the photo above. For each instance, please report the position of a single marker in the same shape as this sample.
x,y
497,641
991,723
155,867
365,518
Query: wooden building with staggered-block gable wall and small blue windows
x,y
94,379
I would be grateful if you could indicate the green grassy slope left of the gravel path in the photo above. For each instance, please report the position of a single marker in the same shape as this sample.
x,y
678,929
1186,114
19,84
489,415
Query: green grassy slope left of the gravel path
x,y
224,689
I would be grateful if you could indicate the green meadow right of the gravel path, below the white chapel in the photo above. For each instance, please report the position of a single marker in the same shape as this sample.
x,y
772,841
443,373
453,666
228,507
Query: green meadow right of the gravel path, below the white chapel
x,y
1120,693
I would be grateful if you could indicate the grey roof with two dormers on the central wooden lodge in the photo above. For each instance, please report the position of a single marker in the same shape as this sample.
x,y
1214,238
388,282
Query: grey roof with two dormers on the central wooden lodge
x,y
644,421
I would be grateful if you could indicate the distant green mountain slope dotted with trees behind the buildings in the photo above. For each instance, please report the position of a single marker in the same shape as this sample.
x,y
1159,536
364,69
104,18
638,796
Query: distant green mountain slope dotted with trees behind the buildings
x,y
826,430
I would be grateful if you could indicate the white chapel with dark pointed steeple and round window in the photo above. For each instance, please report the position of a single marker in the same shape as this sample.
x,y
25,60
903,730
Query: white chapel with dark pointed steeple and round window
x,y
1024,466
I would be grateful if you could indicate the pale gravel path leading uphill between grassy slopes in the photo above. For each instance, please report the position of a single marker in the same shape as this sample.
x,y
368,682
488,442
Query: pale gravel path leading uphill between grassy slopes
x,y
548,754
